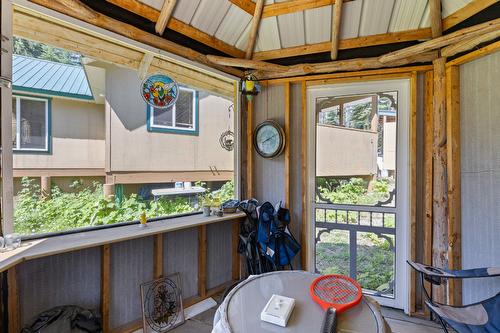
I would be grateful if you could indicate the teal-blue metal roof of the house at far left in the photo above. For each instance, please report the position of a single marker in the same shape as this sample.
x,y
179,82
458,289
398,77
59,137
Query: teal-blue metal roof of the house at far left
x,y
49,78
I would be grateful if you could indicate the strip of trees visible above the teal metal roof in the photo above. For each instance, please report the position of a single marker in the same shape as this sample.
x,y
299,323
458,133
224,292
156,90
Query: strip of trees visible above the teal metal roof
x,y
38,50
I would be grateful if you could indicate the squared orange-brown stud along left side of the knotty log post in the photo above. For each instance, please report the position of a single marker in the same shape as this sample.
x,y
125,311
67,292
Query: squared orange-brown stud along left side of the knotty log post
x,y
427,175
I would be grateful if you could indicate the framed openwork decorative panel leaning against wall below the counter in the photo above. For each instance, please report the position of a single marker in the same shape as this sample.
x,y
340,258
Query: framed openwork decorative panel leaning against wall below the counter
x,y
162,304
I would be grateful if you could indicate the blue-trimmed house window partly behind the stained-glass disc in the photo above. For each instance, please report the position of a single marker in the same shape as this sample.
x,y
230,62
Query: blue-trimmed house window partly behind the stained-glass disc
x,y
180,118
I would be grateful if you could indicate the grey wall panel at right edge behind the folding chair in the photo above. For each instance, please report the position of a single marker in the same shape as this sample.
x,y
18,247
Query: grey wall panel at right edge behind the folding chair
x,y
480,162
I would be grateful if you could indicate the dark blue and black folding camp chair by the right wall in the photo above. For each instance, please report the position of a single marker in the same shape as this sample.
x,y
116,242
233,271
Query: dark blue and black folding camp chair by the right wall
x,y
481,317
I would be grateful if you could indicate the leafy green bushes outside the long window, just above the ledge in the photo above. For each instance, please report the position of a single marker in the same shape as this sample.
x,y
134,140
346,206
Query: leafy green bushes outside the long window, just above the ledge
x,y
86,206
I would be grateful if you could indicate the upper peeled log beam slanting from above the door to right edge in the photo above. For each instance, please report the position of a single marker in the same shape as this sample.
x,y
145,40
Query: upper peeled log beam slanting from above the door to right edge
x,y
439,42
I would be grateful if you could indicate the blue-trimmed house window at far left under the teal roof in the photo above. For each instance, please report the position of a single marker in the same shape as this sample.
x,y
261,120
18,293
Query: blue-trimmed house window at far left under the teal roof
x,y
30,123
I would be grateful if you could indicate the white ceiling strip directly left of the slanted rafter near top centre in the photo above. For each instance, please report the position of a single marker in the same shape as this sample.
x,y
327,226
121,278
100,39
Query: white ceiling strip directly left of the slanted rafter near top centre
x,y
233,25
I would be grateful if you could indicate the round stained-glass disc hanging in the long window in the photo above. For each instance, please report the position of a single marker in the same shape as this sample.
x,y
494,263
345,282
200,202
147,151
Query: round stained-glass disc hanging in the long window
x,y
159,91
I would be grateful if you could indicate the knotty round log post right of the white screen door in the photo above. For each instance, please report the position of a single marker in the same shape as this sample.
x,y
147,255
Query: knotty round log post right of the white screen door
x,y
440,195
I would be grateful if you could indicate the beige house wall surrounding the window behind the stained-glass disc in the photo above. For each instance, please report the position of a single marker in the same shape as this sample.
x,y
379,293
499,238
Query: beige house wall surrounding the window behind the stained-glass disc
x,y
134,149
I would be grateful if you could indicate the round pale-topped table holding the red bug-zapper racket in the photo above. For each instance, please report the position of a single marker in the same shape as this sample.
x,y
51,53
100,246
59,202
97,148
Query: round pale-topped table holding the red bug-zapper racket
x,y
240,310
